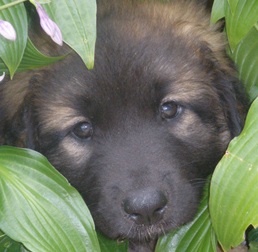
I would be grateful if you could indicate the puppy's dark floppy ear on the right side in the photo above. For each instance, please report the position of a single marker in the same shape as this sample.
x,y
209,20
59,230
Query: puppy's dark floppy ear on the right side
x,y
233,98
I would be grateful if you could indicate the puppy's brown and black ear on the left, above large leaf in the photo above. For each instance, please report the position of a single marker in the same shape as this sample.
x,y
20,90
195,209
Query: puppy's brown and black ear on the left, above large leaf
x,y
16,124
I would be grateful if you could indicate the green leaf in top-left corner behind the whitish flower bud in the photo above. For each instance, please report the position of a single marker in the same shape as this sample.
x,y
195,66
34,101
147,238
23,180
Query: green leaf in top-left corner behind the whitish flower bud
x,y
11,52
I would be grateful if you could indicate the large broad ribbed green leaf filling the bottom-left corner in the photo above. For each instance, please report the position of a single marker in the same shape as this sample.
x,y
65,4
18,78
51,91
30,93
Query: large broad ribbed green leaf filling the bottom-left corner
x,y
39,208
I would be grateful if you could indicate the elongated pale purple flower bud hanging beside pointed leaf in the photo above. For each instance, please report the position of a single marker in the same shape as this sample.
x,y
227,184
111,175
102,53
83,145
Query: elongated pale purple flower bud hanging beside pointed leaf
x,y
48,25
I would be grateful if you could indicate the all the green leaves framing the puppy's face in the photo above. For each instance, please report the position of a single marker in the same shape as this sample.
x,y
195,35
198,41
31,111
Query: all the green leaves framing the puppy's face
x,y
43,216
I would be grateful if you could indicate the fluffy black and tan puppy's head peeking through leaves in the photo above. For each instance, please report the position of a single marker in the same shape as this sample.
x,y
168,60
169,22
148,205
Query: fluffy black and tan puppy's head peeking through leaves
x,y
138,134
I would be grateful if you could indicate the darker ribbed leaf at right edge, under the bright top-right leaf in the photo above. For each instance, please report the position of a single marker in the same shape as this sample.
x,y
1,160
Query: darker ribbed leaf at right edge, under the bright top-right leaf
x,y
245,57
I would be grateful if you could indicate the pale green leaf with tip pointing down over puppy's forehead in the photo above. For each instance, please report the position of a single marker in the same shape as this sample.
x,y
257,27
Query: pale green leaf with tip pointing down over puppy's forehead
x,y
77,21
